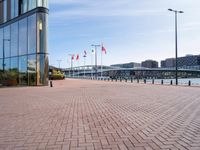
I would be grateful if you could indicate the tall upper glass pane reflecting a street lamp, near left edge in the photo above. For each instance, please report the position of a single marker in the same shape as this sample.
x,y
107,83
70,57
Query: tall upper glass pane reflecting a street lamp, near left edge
x,y
6,41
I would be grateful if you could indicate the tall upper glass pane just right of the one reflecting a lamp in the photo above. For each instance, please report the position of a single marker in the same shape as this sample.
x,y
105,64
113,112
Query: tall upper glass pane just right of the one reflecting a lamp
x,y
14,39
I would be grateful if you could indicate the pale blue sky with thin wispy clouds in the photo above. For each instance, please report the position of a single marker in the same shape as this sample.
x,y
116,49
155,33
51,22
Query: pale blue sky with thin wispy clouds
x,y
131,30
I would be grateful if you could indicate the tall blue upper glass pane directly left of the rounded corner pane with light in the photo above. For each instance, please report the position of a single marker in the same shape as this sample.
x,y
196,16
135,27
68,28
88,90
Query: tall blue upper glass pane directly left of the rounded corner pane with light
x,y
32,34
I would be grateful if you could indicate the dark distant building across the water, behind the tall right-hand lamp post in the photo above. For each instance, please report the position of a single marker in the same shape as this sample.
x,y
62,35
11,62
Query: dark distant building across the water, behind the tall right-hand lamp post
x,y
187,62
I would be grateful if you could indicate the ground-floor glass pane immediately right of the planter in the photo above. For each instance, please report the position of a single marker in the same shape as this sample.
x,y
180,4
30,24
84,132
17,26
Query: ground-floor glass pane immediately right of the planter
x,y
23,78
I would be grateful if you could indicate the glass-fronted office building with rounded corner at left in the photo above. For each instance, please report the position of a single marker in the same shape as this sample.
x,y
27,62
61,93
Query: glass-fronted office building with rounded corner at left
x,y
23,40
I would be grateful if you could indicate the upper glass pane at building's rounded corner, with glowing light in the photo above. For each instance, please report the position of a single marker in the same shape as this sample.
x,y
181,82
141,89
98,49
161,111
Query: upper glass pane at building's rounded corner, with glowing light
x,y
42,32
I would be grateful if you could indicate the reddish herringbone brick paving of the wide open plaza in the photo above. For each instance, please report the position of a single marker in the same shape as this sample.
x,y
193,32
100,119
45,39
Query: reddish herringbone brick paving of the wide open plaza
x,y
88,115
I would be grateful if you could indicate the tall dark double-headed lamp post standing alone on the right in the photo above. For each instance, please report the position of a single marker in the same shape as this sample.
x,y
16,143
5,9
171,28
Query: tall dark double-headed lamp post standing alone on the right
x,y
176,41
